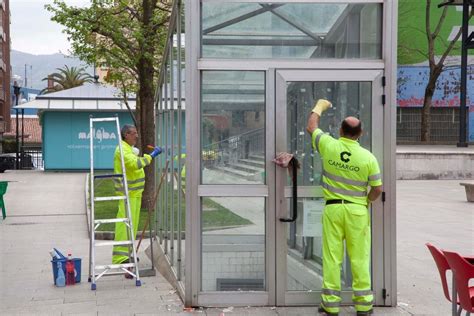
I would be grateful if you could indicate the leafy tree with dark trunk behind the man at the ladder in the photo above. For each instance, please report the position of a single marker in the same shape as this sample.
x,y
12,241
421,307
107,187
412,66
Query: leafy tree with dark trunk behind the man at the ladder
x,y
128,37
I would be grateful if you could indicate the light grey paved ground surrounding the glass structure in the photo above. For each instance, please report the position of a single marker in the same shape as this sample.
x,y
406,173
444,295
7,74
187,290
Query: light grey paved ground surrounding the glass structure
x,y
46,210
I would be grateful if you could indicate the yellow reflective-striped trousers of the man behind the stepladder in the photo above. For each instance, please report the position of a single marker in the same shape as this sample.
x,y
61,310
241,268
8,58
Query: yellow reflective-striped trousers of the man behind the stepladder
x,y
120,253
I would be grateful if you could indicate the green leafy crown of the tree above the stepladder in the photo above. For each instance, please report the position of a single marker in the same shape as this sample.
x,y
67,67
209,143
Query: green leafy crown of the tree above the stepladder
x,y
122,35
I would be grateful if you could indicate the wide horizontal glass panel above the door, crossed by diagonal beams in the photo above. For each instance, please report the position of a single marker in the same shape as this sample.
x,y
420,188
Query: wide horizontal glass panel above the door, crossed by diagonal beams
x,y
291,30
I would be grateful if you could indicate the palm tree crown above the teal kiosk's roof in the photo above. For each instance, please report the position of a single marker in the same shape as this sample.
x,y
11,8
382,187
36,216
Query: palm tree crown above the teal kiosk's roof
x,y
67,78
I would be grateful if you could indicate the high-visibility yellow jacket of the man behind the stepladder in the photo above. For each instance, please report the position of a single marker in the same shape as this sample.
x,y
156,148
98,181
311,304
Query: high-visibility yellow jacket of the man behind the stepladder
x,y
134,170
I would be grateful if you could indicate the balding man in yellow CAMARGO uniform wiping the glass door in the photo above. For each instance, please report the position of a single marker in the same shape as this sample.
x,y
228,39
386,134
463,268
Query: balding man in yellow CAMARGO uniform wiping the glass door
x,y
348,171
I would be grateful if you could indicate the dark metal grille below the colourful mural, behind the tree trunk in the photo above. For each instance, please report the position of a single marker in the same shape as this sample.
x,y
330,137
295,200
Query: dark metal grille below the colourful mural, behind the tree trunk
x,y
444,125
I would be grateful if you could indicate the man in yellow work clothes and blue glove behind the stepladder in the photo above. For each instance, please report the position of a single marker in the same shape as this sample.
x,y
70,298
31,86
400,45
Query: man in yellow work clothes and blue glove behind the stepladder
x,y
135,173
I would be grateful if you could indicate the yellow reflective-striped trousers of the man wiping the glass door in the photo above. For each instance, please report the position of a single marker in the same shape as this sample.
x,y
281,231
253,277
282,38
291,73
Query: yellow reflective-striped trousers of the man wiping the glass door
x,y
349,222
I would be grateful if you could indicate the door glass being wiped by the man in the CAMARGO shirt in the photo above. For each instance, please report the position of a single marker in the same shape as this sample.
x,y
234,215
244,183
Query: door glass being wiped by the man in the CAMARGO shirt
x,y
304,260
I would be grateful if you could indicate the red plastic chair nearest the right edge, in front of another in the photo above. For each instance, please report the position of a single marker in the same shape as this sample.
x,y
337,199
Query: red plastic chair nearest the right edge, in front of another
x,y
463,272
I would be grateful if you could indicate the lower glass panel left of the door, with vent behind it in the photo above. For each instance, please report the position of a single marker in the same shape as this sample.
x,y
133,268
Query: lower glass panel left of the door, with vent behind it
x,y
233,244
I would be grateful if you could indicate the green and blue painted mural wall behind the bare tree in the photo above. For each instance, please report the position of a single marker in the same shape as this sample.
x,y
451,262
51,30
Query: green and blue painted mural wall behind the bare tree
x,y
413,70
